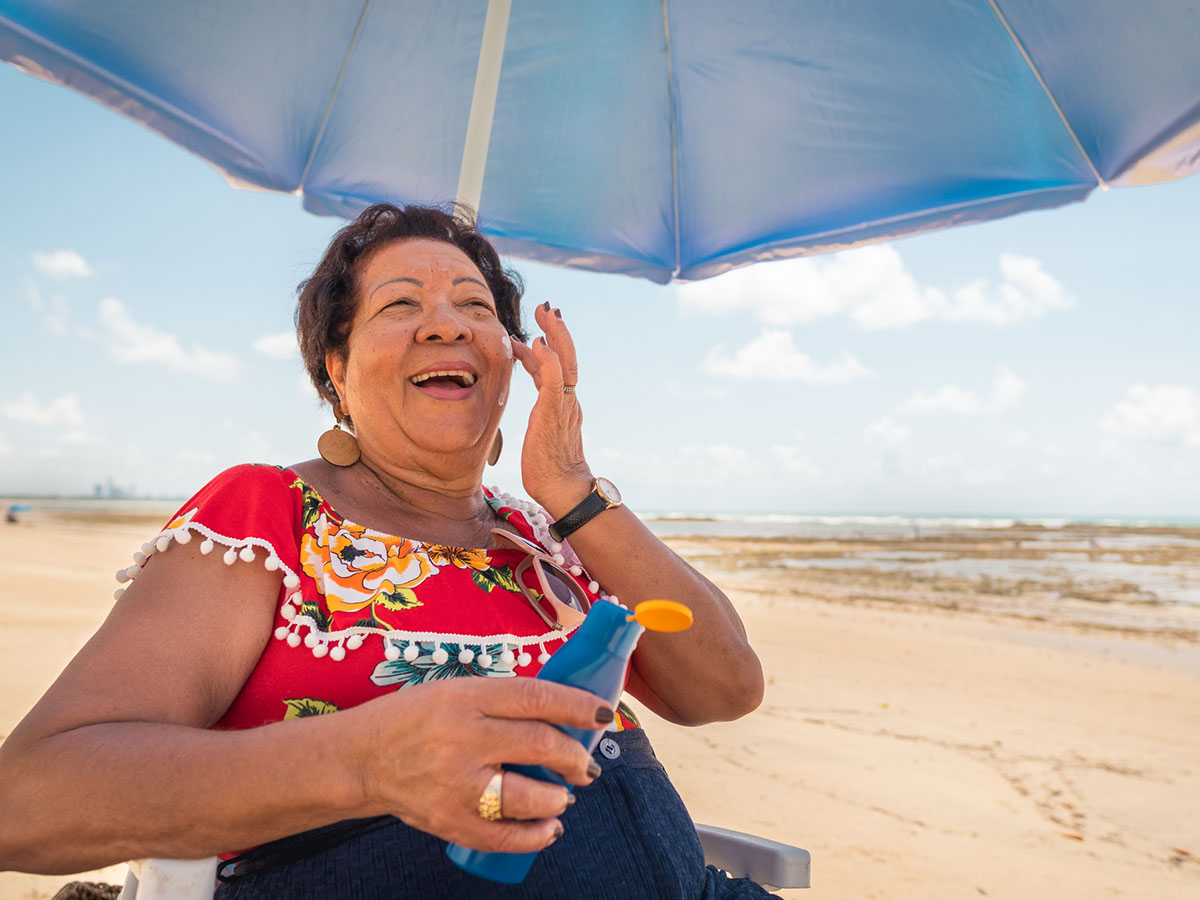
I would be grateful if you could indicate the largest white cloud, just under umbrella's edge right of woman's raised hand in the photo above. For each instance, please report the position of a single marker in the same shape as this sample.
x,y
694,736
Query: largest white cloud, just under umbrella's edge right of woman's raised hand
x,y
877,291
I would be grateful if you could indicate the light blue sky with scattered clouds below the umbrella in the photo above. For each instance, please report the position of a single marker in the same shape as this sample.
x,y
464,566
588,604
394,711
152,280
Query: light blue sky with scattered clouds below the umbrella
x,y
1042,365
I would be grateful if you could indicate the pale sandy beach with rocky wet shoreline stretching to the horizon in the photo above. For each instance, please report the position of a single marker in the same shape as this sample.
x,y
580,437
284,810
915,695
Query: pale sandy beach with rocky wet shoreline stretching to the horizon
x,y
1006,712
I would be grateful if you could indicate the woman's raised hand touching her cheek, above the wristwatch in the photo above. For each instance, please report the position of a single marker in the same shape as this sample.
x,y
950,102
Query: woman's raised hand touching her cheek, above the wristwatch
x,y
553,466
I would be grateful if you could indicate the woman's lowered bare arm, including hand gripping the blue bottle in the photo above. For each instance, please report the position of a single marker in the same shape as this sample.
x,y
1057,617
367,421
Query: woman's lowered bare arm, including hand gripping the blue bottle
x,y
116,761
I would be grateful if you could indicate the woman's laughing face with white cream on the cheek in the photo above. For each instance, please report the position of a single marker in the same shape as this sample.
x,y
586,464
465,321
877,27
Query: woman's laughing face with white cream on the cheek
x,y
424,308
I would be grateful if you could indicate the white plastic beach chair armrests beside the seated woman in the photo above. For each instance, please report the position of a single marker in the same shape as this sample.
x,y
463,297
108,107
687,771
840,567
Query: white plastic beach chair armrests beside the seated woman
x,y
772,865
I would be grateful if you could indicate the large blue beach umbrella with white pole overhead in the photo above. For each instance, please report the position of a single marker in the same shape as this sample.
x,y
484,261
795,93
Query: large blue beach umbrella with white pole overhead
x,y
667,139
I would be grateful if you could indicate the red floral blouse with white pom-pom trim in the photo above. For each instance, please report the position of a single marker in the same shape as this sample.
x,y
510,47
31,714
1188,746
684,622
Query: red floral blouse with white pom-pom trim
x,y
361,613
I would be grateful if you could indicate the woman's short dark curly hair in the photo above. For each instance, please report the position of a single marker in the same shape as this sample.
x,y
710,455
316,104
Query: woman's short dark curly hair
x,y
329,298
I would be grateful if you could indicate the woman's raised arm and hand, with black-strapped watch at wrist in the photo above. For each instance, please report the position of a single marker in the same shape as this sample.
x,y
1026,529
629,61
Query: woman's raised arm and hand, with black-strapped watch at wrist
x,y
707,674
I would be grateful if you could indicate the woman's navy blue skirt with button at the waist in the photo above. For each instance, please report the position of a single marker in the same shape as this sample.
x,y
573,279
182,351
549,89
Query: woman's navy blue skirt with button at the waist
x,y
627,837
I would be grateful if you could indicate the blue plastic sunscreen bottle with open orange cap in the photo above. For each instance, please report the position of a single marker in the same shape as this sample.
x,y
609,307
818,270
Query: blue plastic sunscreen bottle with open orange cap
x,y
595,659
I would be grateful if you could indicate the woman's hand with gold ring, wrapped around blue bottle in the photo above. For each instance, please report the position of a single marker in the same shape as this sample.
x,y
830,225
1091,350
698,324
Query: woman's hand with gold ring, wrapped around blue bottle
x,y
431,751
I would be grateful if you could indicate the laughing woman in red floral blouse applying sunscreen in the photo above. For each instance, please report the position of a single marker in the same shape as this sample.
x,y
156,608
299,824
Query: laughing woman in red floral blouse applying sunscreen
x,y
309,680
